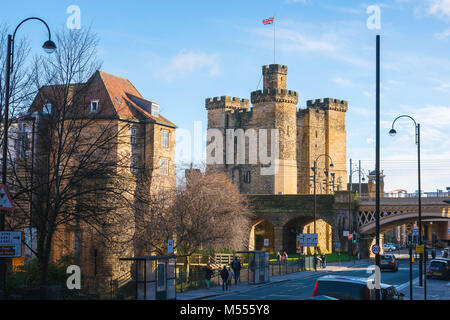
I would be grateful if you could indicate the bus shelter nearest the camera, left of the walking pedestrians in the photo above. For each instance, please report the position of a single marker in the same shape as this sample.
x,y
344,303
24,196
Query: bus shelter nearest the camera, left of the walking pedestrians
x,y
154,277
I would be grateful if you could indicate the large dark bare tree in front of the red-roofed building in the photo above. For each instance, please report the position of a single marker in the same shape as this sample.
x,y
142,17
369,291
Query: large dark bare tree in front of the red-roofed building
x,y
76,175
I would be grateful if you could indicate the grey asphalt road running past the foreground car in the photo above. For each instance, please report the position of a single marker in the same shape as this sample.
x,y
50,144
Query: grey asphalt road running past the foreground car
x,y
302,288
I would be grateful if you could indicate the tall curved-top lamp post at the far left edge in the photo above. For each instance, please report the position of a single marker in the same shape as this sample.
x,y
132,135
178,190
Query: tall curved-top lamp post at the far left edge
x,y
49,47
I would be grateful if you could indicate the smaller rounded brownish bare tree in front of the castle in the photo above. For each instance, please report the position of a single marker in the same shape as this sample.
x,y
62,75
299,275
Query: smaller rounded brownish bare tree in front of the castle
x,y
206,211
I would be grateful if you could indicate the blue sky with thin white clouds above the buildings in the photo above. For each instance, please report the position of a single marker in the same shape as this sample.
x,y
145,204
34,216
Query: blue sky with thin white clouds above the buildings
x,y
178,53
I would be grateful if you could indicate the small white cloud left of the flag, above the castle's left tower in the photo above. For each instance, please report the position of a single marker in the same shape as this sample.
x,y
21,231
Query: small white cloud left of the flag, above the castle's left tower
x,y
188,62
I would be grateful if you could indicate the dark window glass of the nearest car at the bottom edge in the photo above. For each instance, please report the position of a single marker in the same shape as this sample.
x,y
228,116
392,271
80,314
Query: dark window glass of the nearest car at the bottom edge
x,y
342,290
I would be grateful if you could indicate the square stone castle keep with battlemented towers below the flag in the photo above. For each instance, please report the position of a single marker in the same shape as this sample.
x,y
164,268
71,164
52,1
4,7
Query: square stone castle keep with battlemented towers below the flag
x,y
303,135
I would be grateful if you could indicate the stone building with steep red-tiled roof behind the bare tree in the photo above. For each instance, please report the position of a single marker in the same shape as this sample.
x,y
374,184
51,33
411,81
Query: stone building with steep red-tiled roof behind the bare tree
x,y
142,144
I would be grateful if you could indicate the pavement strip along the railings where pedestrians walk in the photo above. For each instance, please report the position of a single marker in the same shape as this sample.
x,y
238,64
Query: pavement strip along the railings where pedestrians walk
x,y
243,287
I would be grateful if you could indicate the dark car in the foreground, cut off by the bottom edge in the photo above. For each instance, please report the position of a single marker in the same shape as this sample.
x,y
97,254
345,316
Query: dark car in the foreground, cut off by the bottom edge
x,y
351,288
